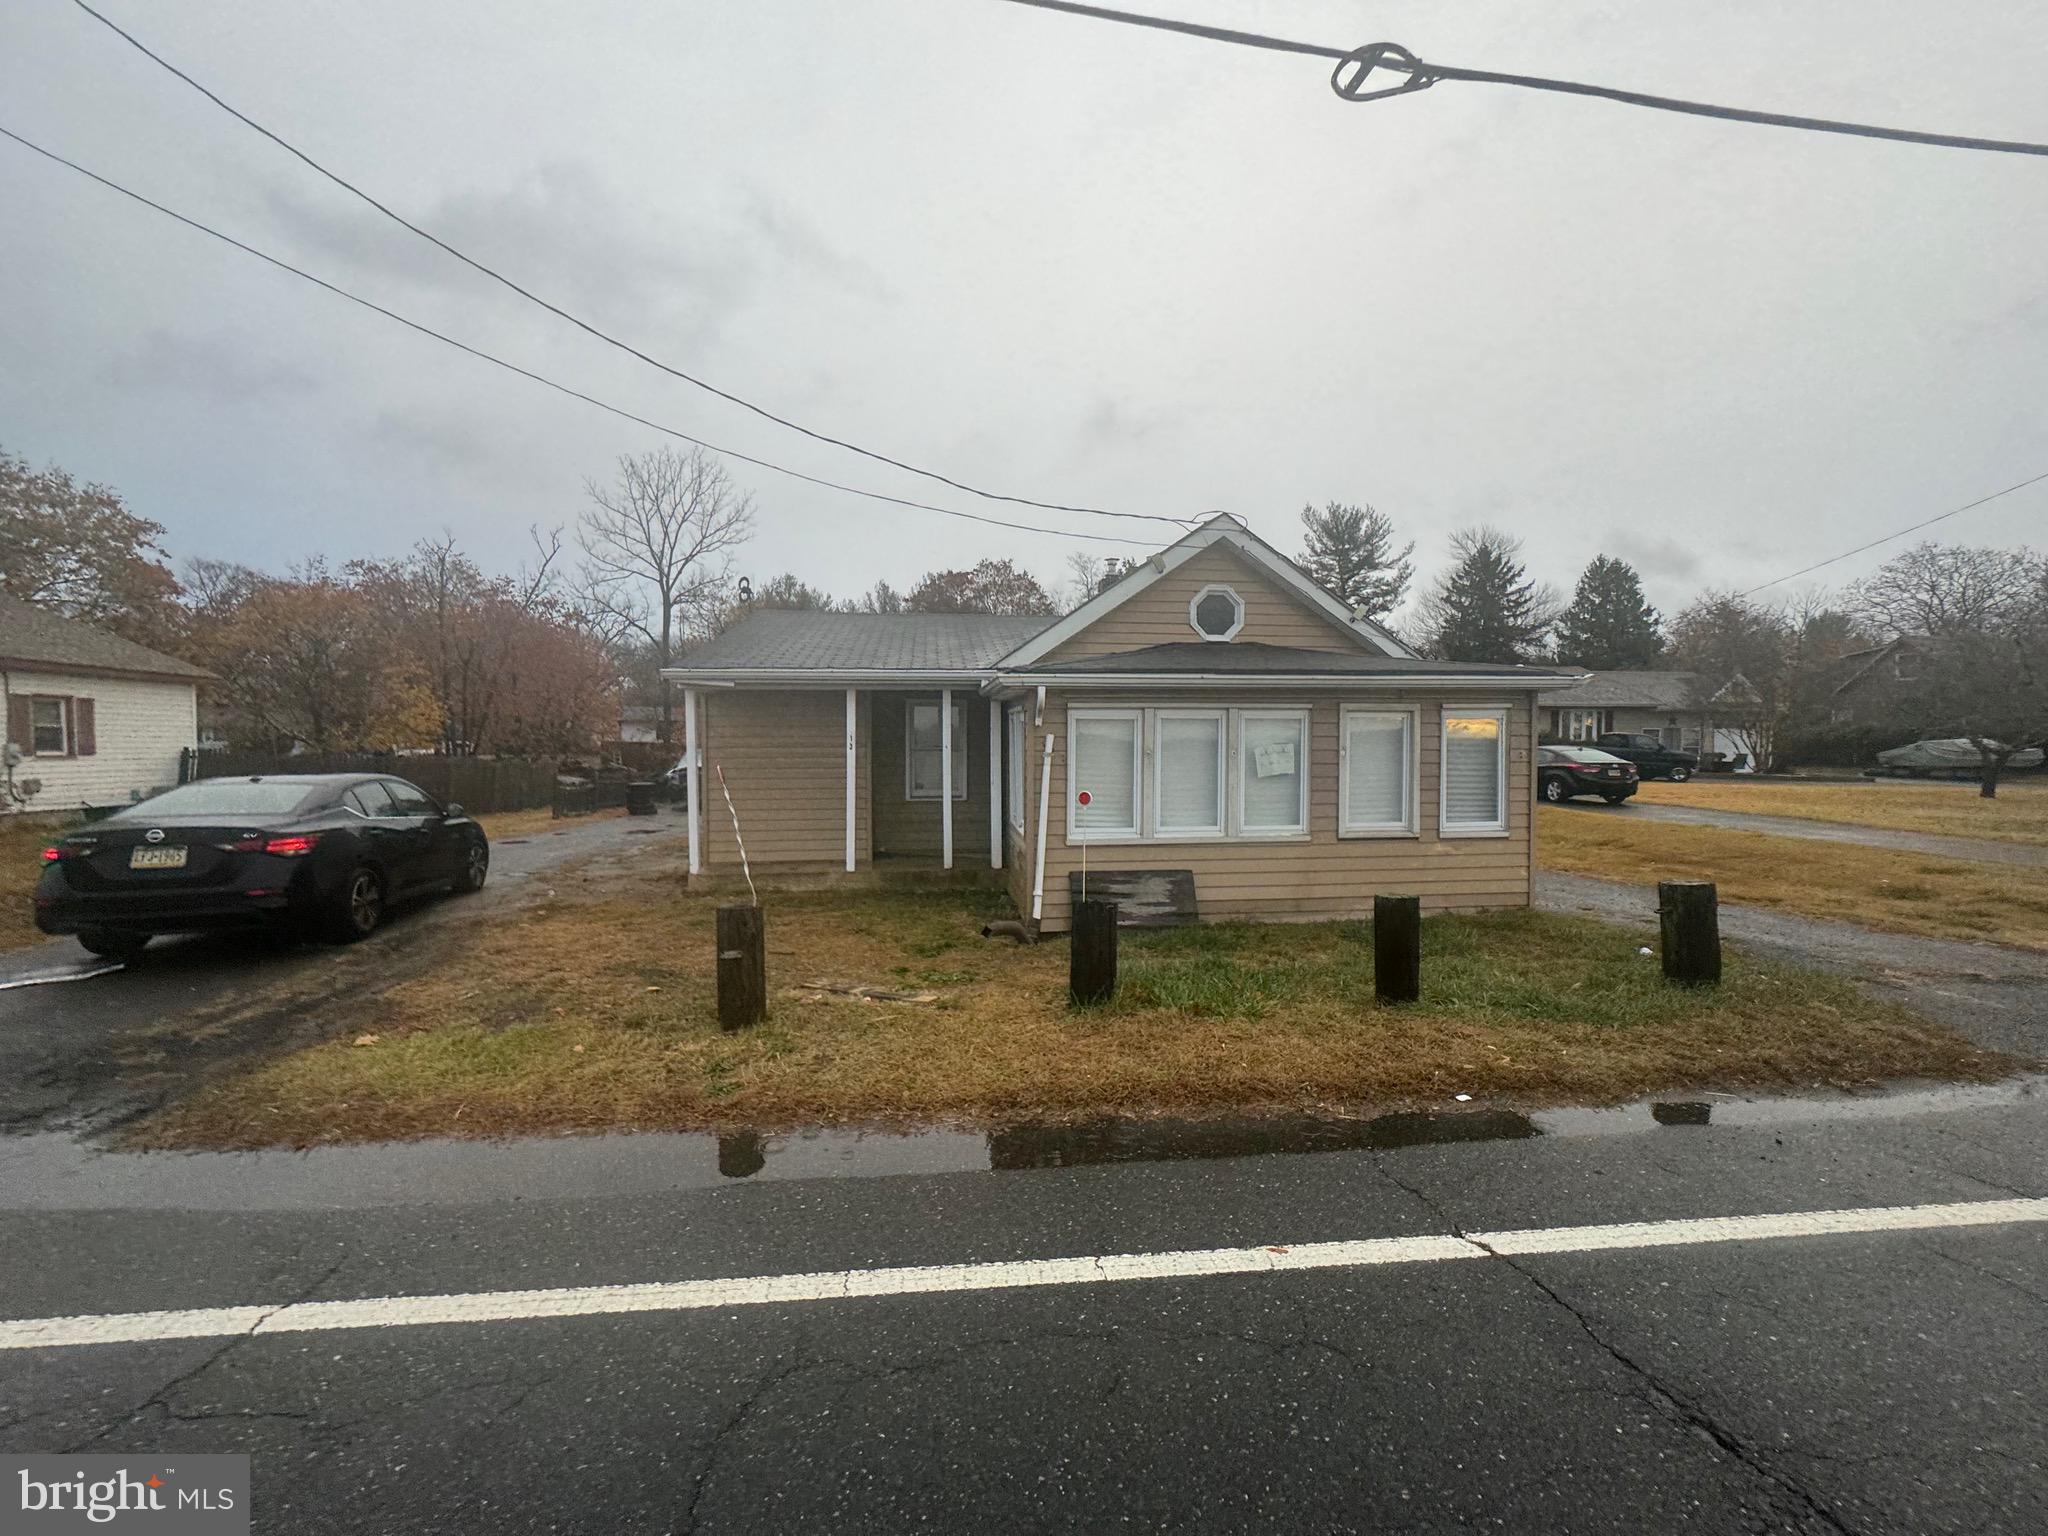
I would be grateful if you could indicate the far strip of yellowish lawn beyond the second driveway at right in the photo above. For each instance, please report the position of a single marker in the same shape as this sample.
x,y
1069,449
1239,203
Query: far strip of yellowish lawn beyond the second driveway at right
x,y
2020,812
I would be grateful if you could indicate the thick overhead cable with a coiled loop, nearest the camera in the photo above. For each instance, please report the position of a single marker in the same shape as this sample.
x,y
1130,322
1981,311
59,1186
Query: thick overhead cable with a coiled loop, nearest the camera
x,y
1353,79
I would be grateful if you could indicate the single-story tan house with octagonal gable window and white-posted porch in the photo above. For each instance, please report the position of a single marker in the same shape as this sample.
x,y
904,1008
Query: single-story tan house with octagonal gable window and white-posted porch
x,y
1224,714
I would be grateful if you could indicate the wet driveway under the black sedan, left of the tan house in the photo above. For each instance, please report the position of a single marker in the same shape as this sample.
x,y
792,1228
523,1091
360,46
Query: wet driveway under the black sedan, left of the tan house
x,y
87,1046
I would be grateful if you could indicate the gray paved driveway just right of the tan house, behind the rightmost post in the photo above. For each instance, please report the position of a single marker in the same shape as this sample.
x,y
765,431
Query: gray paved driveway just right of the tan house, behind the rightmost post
x,y
1988,994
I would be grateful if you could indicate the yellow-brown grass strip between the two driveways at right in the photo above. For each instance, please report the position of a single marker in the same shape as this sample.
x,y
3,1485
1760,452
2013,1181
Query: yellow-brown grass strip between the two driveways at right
x,y
1877,888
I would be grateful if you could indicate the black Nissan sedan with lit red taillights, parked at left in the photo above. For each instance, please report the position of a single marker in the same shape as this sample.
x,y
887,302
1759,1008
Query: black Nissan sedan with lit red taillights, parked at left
x,y
310,855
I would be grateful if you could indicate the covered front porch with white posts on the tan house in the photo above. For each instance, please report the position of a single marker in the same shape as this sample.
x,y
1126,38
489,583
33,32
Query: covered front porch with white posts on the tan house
x,y
845,779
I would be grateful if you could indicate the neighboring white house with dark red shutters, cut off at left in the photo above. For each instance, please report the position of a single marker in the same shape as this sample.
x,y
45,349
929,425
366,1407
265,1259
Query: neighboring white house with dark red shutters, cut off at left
x,y
93,718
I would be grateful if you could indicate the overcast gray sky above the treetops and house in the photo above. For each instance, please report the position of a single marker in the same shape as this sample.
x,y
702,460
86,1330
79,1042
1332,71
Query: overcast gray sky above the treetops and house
x,y
1048,257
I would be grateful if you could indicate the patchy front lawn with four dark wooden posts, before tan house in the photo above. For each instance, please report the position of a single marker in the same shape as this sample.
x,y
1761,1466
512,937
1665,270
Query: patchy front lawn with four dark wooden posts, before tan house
x,y
597,1015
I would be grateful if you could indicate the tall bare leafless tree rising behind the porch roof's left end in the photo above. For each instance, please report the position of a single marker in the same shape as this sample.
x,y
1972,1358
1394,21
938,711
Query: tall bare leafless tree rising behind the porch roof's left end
x,y
658,552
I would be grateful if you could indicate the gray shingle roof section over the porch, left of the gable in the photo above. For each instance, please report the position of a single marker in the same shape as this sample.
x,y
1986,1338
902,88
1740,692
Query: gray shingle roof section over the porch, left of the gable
x,y
790,640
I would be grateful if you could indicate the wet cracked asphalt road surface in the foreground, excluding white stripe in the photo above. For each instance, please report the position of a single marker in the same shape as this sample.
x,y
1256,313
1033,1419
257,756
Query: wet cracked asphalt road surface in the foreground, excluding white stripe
x,y
1873,1383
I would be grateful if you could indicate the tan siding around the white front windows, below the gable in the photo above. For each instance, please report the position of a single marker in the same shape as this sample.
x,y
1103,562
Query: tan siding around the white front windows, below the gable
x,y
1324,876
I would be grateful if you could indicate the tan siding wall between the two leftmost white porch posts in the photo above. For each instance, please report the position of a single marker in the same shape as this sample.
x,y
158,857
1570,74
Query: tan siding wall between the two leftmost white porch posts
x,y
785,765
